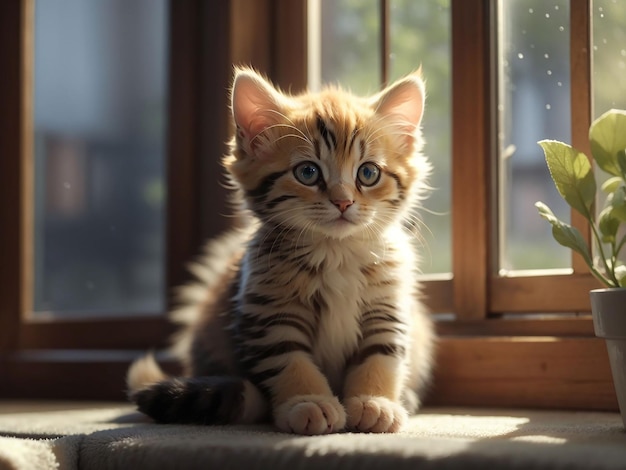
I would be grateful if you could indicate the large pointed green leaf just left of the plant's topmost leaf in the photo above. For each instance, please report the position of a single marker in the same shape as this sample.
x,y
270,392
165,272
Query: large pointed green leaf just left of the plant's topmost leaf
x,y
571,171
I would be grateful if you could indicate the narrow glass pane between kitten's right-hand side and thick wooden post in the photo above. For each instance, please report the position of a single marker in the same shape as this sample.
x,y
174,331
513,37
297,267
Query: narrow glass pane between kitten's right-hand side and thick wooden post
x,y
420,35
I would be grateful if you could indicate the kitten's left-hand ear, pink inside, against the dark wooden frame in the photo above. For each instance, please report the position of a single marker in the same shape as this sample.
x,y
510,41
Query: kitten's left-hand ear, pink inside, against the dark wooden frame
x,y
256,105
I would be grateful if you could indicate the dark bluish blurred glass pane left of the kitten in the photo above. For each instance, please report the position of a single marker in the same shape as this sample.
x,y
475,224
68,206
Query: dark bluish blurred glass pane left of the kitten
x,y
100,92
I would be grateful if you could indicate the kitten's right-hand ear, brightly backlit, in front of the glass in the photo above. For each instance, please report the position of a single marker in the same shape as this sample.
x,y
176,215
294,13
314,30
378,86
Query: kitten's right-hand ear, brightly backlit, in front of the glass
x,y
403,103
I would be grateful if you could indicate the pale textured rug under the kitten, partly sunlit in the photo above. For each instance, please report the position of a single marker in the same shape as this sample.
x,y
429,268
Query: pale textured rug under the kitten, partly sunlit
x,y
114,436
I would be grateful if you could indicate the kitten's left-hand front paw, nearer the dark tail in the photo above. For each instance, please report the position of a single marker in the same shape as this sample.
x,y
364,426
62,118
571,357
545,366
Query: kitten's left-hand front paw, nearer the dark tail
x,y
310,414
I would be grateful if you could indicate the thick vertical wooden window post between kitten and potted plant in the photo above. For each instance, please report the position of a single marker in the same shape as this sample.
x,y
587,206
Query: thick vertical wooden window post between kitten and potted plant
x,y
471,157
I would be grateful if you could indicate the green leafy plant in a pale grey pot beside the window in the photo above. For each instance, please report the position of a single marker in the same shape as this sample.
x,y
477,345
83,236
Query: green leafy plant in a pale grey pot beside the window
x,y
575,180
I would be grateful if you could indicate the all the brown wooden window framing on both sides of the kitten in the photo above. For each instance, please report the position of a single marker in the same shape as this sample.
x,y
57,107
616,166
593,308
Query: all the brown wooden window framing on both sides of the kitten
x,y
490,354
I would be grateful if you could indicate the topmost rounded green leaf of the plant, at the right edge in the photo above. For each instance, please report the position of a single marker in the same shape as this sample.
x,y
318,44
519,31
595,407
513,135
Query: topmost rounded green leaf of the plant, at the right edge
x,y
607,136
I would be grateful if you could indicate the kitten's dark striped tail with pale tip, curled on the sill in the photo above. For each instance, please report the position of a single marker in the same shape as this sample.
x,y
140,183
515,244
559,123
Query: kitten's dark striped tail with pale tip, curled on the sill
x,y
197,400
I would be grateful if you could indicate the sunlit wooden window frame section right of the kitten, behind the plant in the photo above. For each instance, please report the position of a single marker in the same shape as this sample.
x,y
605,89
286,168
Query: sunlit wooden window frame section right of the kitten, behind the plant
x,y
487,357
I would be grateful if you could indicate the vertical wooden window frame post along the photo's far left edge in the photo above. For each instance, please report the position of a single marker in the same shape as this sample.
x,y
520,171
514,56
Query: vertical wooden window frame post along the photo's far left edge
x,y
16,26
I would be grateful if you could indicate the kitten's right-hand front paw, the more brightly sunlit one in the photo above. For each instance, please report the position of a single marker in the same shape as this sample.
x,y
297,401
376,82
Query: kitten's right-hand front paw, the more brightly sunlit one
x,y
374,414
